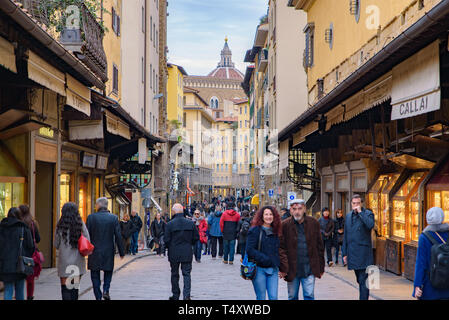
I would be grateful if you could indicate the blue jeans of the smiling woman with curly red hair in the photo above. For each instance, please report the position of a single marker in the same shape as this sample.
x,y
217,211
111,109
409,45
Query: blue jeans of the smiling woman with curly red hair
x,y
266,281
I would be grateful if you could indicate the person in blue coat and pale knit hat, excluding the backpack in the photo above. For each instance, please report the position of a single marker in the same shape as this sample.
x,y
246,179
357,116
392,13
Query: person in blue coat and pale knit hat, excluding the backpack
x,y
422,287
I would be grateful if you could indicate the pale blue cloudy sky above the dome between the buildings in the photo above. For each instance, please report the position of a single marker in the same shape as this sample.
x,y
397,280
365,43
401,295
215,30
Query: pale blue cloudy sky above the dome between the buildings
x,y
197,28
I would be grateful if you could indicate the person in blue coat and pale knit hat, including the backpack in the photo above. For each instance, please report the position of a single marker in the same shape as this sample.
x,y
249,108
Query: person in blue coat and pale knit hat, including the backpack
x,y
432,268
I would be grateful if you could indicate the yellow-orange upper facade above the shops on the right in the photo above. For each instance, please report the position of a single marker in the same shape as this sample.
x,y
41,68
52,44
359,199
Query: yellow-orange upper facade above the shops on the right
x,y
338,44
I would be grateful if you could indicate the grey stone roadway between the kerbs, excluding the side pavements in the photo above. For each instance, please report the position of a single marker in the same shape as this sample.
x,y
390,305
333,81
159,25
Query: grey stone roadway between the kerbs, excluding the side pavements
x,y
149,279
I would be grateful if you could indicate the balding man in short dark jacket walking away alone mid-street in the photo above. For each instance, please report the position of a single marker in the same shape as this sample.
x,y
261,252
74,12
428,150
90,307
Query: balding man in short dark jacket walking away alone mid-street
x,y
180,236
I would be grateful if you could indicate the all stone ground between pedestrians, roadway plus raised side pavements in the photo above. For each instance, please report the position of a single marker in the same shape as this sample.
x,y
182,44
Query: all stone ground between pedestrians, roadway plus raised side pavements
x,y
147,277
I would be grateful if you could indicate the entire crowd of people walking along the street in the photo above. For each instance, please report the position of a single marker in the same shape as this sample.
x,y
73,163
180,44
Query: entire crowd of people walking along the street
x,y
288,245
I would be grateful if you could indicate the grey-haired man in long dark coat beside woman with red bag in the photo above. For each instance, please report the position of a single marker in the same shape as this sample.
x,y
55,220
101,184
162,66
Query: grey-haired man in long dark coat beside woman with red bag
x,y
104,231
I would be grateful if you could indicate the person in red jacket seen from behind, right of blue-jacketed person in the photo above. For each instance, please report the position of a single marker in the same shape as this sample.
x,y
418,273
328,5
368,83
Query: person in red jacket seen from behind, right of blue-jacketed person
x,y
229,227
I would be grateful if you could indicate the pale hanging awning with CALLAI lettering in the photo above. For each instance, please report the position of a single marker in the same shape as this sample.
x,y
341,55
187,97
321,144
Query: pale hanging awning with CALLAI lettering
x,y
416,84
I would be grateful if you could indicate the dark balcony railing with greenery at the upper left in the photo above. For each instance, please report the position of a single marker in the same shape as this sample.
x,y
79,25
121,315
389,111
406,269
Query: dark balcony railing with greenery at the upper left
x,y
85,40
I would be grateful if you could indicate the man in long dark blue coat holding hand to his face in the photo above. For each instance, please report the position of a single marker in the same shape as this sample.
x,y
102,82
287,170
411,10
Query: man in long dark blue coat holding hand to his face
x,y
357,248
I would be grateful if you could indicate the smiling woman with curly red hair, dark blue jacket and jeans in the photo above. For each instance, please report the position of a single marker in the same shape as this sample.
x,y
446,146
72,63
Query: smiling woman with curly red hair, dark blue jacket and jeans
x,y
266,229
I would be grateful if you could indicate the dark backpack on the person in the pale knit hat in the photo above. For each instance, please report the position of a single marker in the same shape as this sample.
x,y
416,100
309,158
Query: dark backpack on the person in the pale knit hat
x,y
439,262
